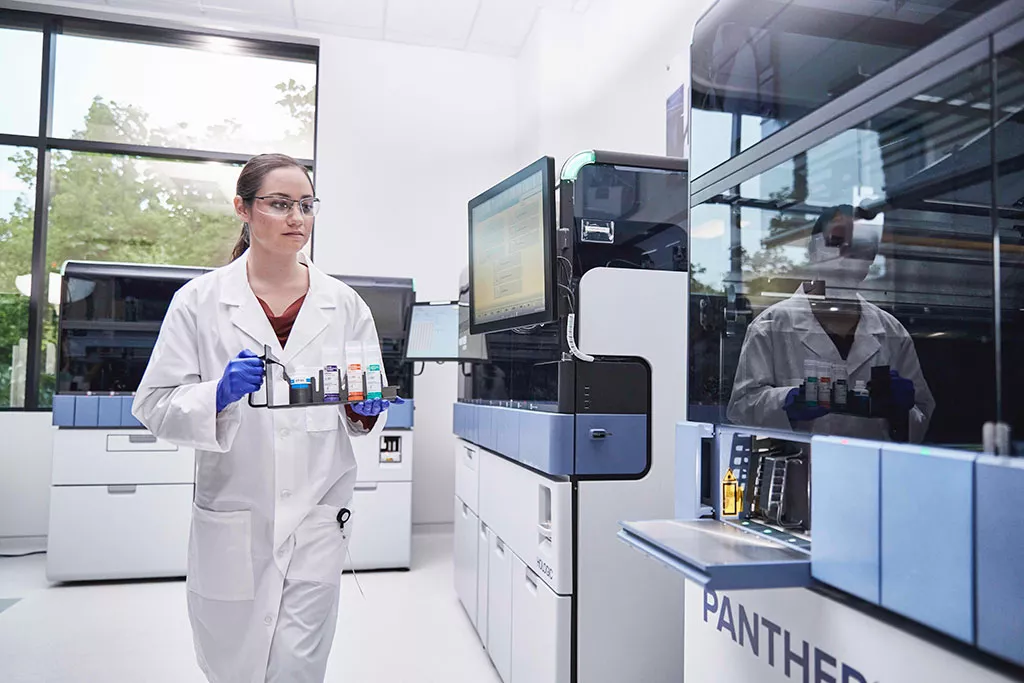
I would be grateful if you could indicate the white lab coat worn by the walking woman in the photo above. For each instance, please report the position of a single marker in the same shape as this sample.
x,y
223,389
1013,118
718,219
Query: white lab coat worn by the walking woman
x,y
266,552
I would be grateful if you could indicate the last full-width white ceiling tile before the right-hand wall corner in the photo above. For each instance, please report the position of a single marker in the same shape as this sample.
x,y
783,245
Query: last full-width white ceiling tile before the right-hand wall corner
x,y
440,23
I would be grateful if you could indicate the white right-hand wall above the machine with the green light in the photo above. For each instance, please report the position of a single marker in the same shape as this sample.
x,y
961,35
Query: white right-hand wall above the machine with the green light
x,y
601,80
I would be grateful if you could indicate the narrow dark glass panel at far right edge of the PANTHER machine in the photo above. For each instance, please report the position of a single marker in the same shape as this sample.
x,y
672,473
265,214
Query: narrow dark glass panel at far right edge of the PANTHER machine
x,y
1010,152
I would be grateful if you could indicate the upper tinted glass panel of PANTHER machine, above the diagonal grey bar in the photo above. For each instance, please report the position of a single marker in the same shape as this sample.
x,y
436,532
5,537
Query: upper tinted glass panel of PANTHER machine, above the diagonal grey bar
x,y
761,65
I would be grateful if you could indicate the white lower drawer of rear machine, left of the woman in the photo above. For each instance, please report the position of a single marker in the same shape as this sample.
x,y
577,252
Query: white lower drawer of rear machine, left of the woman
x,y
118,532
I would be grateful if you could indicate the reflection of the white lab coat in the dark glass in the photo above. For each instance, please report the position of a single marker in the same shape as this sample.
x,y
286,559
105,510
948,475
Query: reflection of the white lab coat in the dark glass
x,y
772,364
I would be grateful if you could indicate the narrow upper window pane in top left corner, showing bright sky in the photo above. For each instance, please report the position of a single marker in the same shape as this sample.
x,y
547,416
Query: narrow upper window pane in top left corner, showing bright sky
x,y
20,114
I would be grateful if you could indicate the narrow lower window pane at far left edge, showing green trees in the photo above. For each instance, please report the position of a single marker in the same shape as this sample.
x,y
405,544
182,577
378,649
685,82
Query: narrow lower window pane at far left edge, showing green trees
x,y
18,203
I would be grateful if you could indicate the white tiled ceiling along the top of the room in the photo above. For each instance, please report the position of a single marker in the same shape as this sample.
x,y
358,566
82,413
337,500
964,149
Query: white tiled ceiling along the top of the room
x,y
491,27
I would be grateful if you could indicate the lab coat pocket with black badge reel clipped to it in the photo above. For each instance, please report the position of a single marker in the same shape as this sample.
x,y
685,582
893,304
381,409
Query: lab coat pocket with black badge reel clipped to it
x,y
322,545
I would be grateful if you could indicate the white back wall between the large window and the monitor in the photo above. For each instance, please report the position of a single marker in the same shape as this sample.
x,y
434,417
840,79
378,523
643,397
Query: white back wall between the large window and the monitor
x,y
407,136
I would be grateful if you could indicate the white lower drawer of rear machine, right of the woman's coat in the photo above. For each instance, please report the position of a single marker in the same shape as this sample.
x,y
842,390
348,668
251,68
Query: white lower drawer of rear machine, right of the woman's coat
x,y
382,536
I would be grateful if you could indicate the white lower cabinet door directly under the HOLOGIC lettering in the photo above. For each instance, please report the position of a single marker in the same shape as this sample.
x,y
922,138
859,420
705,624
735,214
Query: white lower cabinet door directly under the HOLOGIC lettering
x,y
541,629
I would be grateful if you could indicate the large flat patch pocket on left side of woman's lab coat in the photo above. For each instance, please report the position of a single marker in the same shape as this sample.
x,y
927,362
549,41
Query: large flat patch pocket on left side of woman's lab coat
x,y
221,564
